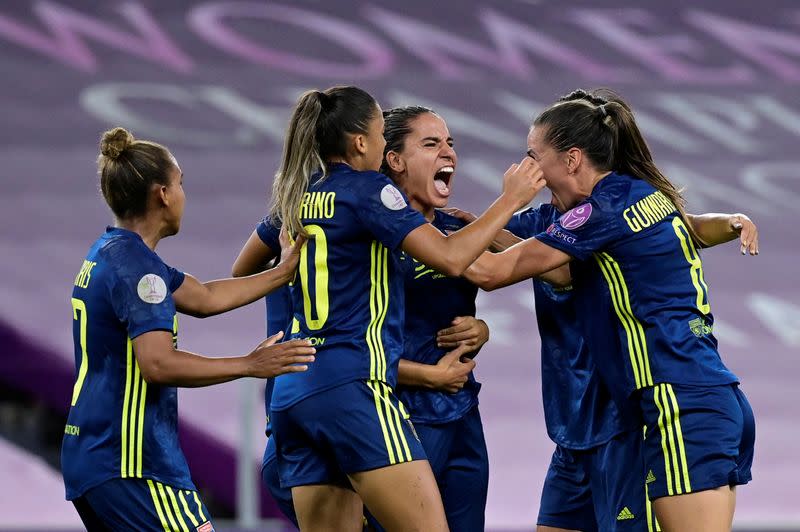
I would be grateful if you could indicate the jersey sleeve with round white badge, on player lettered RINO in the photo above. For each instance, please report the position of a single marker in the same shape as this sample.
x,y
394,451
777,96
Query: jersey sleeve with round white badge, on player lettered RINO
x,y
384,210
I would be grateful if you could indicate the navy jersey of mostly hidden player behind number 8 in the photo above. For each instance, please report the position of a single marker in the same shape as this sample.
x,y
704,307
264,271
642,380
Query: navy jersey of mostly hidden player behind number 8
x,y
578,409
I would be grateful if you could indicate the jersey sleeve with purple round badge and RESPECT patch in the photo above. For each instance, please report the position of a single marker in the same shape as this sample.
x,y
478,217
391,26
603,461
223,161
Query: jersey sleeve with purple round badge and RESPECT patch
x,y
583,230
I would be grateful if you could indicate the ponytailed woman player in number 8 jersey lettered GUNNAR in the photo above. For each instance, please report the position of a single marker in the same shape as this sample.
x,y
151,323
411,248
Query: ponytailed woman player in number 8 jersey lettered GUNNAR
x,y
650,326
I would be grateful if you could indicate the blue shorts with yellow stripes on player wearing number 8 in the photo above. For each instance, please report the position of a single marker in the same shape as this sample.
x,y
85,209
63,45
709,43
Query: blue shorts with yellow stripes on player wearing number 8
x,y
697,438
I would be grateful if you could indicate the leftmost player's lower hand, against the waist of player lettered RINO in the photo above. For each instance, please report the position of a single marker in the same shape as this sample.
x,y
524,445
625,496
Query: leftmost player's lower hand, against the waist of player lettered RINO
x,y
271,359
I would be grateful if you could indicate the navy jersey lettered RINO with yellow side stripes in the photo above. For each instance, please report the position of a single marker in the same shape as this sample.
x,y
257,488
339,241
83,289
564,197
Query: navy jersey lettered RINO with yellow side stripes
x,y
347,297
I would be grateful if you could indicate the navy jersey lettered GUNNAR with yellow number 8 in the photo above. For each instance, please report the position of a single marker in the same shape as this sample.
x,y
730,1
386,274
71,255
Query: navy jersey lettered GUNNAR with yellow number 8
x,y
639,288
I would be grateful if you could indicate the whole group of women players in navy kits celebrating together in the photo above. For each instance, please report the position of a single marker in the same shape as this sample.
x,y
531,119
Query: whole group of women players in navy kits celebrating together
x,y
371,402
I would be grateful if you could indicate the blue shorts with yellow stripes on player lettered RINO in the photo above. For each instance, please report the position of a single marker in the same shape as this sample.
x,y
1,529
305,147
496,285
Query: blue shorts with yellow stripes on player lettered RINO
x,y
355,427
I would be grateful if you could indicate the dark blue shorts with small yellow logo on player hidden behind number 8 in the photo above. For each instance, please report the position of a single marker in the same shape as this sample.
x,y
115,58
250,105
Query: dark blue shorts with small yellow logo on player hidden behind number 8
x,y
601,488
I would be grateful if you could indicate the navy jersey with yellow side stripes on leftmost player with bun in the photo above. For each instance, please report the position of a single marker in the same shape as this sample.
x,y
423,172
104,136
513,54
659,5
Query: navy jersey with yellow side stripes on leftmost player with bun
x,y
119,426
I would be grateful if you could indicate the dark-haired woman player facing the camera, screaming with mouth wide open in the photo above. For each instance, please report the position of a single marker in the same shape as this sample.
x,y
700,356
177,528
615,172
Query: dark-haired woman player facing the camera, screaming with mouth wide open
x,y
437,388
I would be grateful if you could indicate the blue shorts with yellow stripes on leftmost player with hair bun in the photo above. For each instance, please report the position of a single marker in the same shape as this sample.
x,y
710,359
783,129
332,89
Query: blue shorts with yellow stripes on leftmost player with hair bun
x,y
142,504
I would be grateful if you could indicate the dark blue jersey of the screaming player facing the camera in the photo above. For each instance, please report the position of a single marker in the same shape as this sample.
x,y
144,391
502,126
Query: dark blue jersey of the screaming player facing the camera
x,y
432,301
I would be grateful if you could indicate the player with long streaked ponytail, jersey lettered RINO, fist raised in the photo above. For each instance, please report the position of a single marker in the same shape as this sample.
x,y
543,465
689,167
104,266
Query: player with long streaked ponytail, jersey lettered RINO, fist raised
x,y
342,416
